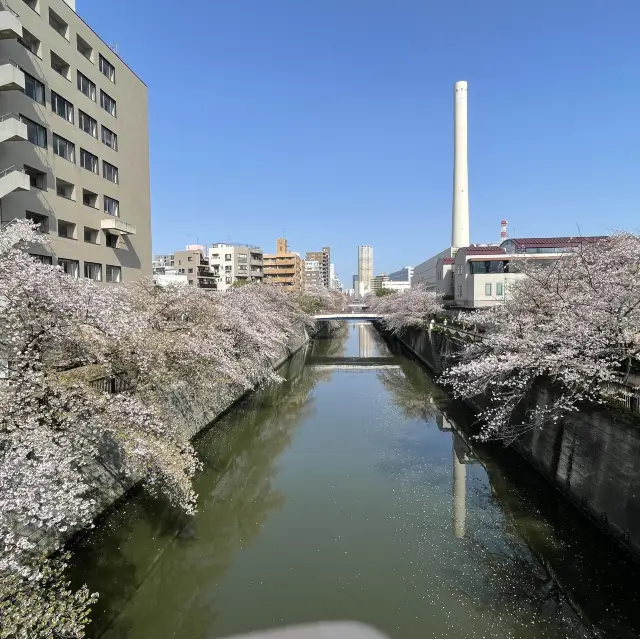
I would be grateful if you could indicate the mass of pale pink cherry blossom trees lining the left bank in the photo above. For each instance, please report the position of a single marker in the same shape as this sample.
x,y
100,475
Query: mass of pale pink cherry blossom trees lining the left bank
x,y
173,344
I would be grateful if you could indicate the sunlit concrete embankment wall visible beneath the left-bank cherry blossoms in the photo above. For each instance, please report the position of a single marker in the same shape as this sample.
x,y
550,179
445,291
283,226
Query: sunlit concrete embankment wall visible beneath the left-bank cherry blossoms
x,y
106,477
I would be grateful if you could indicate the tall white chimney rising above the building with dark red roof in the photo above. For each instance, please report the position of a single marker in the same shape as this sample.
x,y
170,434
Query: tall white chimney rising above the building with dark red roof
x,y
460,217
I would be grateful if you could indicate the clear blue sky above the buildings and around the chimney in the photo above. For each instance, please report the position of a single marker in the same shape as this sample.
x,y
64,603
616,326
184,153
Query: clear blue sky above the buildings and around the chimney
x,y
332,120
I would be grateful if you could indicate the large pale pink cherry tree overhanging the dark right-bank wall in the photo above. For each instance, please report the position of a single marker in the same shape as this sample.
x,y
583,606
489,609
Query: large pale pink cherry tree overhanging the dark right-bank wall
x,y
574,325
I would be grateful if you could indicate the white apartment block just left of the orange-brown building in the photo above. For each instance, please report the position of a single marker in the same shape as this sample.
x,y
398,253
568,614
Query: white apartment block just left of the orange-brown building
x,y
236,263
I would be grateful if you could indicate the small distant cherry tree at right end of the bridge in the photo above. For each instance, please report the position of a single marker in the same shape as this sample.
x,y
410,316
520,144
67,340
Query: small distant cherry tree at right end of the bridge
x,y
413,308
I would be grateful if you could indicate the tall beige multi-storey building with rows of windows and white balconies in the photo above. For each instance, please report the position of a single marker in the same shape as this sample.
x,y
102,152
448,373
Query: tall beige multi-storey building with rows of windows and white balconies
x,y
74,147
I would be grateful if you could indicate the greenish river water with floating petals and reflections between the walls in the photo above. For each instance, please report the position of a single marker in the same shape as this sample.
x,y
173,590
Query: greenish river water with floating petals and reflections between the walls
x,y
351,491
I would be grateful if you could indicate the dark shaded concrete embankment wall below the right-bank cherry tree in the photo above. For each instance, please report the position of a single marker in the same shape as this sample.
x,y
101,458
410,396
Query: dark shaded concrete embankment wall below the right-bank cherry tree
x,y
592,456
